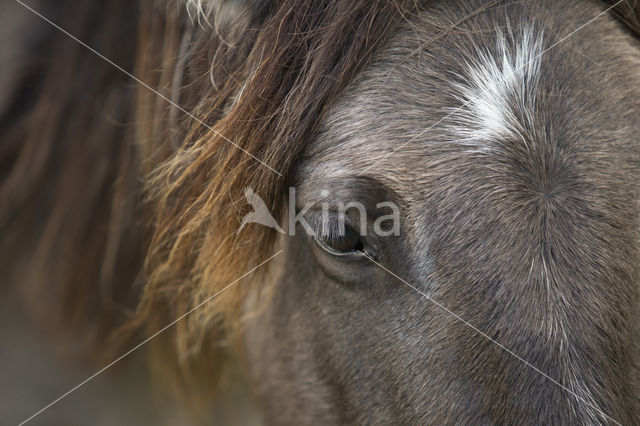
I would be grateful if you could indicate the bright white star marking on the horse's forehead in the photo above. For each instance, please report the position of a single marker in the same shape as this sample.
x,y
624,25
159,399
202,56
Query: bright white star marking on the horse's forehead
x,y
499,88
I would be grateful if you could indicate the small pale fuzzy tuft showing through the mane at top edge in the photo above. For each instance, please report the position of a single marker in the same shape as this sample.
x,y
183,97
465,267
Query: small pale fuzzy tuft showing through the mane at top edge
x,y
221,13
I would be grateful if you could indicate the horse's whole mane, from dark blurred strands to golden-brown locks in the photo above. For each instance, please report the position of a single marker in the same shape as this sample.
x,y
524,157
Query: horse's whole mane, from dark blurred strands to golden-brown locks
x,y
120,212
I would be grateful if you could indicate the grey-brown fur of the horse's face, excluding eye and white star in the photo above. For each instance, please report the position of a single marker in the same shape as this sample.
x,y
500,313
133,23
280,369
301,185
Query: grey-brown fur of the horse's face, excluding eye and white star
x,y
534,241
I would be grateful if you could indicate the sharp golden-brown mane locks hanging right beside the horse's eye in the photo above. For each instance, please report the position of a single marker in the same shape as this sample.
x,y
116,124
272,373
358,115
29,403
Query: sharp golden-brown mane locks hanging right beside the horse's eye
x,y
263,84
